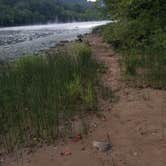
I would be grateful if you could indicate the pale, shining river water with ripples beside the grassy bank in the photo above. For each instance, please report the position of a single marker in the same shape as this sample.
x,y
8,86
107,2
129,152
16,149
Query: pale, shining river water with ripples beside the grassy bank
x,y
26,40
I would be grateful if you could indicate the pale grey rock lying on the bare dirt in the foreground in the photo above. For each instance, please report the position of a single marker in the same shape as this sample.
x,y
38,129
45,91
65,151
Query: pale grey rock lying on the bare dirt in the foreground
x,y
102,146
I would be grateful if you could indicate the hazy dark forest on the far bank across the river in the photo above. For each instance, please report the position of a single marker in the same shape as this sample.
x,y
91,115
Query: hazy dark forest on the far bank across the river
x,y
21,12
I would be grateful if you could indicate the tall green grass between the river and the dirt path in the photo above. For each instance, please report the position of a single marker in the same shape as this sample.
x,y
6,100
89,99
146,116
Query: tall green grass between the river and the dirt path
x,y
39,95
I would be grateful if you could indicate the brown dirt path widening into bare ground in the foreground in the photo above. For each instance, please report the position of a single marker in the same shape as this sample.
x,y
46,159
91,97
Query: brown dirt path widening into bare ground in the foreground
x,y
136,124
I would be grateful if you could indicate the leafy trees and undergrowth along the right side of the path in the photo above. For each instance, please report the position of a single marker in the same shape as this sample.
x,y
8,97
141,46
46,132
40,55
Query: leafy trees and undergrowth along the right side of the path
x,y
139,33
